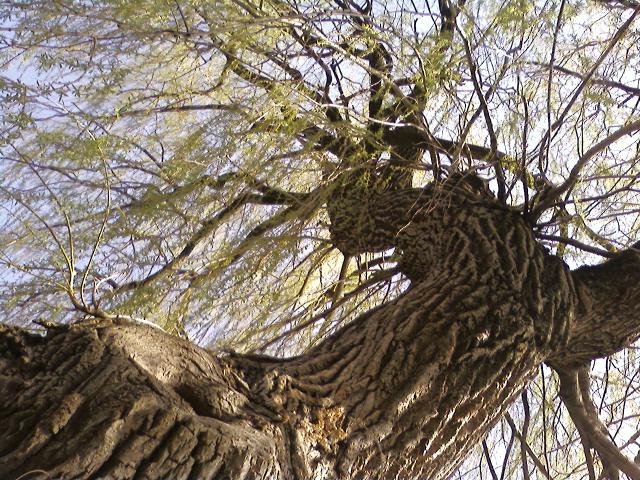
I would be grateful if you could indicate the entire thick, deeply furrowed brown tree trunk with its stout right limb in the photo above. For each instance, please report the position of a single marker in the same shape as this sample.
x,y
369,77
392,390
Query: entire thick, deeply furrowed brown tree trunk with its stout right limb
x,y
405,390
